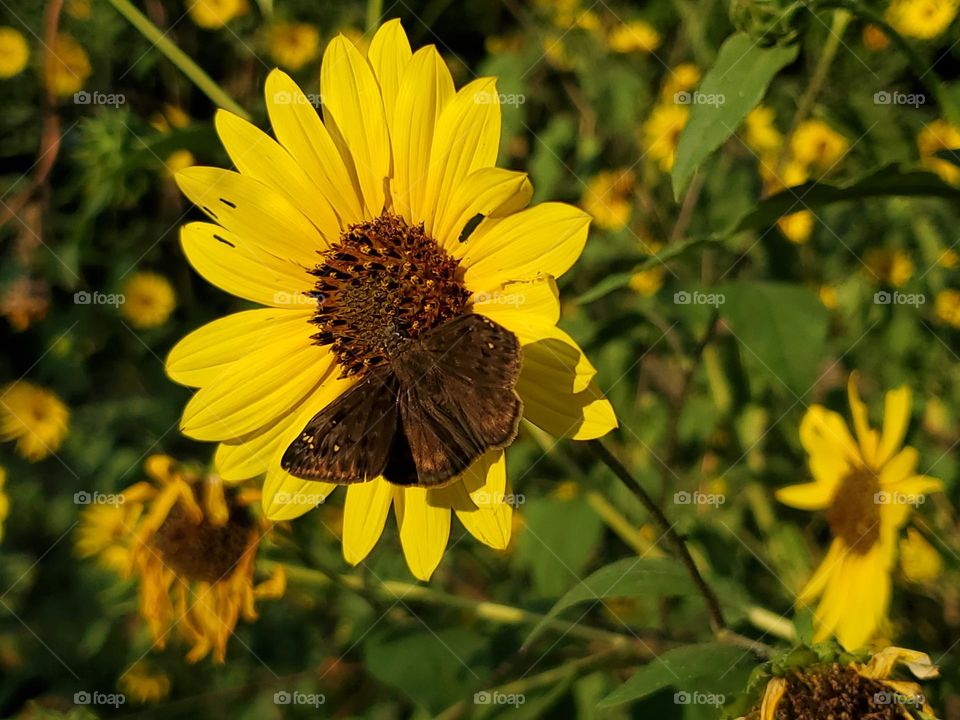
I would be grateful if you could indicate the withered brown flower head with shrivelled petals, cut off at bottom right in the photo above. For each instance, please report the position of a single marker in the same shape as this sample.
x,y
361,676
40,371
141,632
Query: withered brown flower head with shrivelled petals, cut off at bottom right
x,y
847,688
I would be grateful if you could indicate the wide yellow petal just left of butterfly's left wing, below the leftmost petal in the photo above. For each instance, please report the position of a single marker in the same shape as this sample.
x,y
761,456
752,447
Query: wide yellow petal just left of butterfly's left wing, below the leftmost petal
x,y
259,388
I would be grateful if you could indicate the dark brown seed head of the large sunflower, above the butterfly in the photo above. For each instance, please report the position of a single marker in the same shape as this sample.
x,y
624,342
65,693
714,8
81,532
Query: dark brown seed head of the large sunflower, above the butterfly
x,y
384,283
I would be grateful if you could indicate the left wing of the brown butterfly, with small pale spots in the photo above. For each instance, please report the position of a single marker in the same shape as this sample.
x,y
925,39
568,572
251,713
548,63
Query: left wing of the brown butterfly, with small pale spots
x,y
349,441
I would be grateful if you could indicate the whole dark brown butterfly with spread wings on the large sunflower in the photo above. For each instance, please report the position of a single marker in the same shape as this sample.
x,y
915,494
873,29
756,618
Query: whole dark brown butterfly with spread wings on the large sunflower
x,y
423,418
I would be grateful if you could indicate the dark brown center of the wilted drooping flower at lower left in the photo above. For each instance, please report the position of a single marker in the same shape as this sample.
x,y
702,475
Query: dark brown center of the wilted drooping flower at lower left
x,y
203,552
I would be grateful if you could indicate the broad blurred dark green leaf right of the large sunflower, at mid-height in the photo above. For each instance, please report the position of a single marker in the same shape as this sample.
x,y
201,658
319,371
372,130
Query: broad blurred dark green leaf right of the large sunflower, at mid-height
x,y
781,328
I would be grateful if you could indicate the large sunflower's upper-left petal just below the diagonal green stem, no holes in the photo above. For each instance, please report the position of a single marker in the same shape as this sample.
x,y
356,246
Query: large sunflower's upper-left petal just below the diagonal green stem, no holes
x,y
259,156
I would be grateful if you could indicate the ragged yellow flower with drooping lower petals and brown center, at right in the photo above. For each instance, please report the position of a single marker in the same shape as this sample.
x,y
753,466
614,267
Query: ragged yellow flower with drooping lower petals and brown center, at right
x,y
866,486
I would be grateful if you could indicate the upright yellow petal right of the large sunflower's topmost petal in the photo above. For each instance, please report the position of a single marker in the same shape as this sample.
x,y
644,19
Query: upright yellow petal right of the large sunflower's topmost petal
x,y
425,90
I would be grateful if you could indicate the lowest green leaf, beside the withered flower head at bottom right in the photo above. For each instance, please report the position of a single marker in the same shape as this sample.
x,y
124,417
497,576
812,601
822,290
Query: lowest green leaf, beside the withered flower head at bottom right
x,y
704,668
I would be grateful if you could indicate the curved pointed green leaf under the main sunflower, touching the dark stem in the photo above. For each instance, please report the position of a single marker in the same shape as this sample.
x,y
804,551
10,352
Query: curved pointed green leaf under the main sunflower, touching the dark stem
x,y
630,577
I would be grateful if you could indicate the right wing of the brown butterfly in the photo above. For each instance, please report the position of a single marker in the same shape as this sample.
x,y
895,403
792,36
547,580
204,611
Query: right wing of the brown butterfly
x,y
457,397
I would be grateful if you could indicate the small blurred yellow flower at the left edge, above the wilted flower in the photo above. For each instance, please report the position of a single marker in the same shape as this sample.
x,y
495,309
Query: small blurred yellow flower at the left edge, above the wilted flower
x,y
34,417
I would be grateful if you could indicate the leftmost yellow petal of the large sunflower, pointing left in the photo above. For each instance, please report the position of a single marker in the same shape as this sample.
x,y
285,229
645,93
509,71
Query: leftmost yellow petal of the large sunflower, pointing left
x,y
207,351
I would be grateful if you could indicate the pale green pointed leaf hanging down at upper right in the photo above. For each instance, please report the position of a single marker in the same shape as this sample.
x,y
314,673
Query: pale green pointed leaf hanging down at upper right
x,y
730,90
